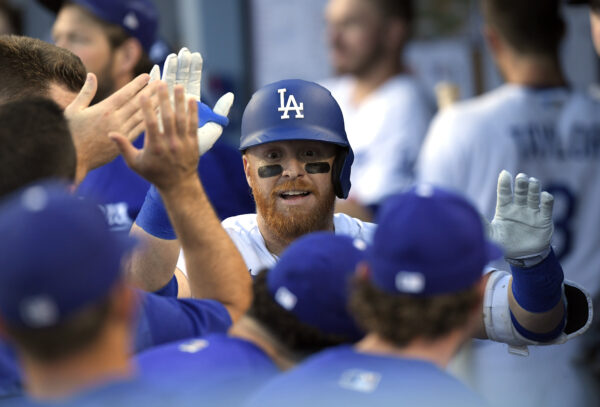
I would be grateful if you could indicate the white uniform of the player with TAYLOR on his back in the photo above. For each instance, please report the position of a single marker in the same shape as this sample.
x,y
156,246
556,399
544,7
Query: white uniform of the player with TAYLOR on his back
x,y
552,134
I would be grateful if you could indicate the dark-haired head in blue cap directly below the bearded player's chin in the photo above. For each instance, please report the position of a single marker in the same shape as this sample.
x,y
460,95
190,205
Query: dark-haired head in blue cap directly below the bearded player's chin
x,y
302,301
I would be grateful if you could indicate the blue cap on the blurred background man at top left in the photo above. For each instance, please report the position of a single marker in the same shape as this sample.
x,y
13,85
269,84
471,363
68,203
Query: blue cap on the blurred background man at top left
x,y
139,18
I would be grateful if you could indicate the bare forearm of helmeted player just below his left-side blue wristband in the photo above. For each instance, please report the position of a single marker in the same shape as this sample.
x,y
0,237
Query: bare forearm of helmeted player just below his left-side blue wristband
x,y
151,267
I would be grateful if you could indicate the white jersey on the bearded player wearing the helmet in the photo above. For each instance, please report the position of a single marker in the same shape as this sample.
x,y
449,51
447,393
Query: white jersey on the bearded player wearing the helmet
x,y
243,230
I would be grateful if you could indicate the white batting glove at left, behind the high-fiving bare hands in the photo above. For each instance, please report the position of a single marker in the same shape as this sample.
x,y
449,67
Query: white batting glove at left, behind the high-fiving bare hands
x,y
186,69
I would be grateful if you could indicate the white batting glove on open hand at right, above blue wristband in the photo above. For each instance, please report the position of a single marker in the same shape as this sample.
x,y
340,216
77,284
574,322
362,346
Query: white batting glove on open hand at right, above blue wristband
x,y
523,226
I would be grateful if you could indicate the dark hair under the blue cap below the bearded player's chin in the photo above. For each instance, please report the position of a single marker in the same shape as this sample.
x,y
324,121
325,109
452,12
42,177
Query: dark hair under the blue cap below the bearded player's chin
x,y
297,336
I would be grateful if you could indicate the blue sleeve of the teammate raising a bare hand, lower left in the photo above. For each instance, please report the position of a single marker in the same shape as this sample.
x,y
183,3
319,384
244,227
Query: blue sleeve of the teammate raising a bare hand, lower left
x,y
163,320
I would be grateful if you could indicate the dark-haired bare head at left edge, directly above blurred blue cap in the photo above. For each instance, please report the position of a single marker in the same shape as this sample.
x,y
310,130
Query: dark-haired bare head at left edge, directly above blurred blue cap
x,y
36,144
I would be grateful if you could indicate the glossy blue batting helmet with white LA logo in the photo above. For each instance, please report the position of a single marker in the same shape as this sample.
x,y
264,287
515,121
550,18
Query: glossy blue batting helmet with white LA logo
x,y
294,109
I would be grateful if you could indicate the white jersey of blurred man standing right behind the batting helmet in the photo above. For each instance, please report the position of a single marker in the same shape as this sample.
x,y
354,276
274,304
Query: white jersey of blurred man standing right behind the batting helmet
x,y
386,132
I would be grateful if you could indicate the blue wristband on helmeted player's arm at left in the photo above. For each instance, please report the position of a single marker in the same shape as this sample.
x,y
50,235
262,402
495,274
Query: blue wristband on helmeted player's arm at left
x,y
153,217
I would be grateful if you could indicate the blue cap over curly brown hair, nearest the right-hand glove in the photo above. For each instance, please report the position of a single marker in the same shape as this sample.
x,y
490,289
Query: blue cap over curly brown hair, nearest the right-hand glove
x,y
429,242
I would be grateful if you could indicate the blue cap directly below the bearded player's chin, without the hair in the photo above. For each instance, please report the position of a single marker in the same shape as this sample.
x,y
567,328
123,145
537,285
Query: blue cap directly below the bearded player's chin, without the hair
x,y
311,280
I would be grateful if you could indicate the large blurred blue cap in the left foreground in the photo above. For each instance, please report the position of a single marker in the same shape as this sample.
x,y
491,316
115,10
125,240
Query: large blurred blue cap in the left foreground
x,y
58,255
